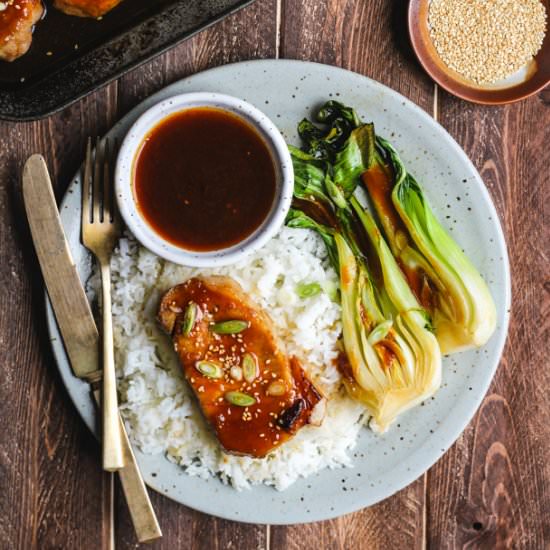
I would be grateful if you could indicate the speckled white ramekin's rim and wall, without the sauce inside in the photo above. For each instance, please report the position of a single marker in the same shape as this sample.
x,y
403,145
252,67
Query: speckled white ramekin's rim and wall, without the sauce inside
x,y
124,179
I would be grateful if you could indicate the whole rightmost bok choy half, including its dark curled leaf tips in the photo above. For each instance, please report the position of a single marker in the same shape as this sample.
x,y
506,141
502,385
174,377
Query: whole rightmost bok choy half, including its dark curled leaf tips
x,y
443,279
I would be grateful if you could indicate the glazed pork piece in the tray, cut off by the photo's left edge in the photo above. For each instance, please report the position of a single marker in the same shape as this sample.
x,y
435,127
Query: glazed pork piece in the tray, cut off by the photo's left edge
x,y
17,19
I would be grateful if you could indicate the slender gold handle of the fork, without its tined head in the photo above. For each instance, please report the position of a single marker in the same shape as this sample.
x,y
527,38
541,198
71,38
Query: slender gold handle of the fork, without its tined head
x,y
112,447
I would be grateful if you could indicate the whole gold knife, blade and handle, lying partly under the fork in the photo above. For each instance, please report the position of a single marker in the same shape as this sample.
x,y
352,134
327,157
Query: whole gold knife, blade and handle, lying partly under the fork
x,y
76,323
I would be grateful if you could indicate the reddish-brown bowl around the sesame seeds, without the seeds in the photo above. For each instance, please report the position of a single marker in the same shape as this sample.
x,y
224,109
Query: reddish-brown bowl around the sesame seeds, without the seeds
x,y
532,79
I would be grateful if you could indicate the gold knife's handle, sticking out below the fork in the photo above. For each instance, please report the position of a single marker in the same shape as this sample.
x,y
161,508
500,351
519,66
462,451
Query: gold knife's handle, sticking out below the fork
x,y
141,510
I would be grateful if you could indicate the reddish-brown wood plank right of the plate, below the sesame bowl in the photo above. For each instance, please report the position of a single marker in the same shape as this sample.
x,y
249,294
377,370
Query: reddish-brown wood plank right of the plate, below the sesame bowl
x,y
492,489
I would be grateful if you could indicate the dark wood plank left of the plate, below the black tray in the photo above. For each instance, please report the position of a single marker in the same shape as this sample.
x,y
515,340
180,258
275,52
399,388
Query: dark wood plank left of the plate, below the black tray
x,y
52,484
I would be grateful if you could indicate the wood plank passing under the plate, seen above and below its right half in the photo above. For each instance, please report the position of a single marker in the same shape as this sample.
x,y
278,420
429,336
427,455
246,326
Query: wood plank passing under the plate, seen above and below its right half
x,y
369,38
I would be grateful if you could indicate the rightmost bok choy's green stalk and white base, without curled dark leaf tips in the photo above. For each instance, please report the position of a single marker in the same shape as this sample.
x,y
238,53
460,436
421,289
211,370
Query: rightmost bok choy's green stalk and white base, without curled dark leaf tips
x,y
440,274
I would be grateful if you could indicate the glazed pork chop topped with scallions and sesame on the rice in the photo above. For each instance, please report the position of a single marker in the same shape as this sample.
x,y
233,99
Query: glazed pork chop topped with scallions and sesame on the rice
x,y
254,396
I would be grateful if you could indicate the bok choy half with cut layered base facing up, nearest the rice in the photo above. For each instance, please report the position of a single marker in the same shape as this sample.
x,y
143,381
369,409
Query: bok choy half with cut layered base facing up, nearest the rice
x,y
393,359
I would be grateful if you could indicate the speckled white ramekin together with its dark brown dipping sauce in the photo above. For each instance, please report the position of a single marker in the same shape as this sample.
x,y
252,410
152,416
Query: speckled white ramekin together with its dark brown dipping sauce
x,y
203,179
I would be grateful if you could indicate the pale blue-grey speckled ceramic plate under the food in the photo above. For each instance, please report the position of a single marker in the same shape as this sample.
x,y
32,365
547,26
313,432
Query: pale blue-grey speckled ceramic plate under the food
x,y
287,91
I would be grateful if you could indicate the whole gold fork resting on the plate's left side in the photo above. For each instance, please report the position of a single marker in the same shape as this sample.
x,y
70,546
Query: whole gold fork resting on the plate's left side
x,y
100,230
